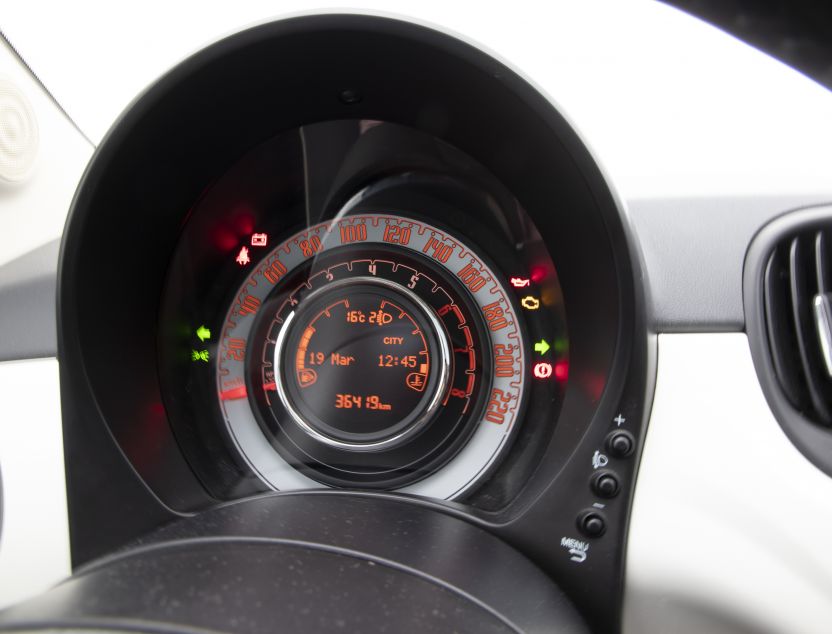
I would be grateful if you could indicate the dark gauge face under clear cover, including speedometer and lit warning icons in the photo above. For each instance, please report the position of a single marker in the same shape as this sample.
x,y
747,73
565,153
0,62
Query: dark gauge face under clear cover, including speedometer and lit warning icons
x,y
390,320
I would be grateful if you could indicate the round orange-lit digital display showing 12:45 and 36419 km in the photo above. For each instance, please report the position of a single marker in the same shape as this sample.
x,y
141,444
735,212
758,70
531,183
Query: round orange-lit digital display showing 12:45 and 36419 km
x,y
360,359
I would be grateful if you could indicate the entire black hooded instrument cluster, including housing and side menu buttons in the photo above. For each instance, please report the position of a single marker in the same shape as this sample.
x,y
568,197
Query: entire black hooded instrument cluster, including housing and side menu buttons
x,y
345,256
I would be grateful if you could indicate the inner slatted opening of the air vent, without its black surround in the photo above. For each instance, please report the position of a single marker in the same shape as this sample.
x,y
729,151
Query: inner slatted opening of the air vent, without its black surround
x,y
797,290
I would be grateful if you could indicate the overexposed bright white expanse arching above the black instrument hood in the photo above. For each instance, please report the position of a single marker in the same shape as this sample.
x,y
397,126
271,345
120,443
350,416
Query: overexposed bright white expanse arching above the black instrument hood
x,y
671,105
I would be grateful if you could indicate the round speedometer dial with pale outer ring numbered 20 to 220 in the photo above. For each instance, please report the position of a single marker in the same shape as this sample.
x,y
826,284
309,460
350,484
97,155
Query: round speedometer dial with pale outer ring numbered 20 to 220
x,y
375,350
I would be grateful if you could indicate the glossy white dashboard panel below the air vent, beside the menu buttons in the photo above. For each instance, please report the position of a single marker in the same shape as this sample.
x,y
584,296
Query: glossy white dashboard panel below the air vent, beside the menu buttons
x,y
729,530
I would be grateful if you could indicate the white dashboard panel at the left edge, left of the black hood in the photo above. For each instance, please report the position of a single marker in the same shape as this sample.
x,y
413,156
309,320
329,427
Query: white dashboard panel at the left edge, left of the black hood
x,y
34,544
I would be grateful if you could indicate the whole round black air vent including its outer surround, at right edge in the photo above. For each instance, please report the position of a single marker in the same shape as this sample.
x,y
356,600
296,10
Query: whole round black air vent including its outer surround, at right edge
x,y
788,314
